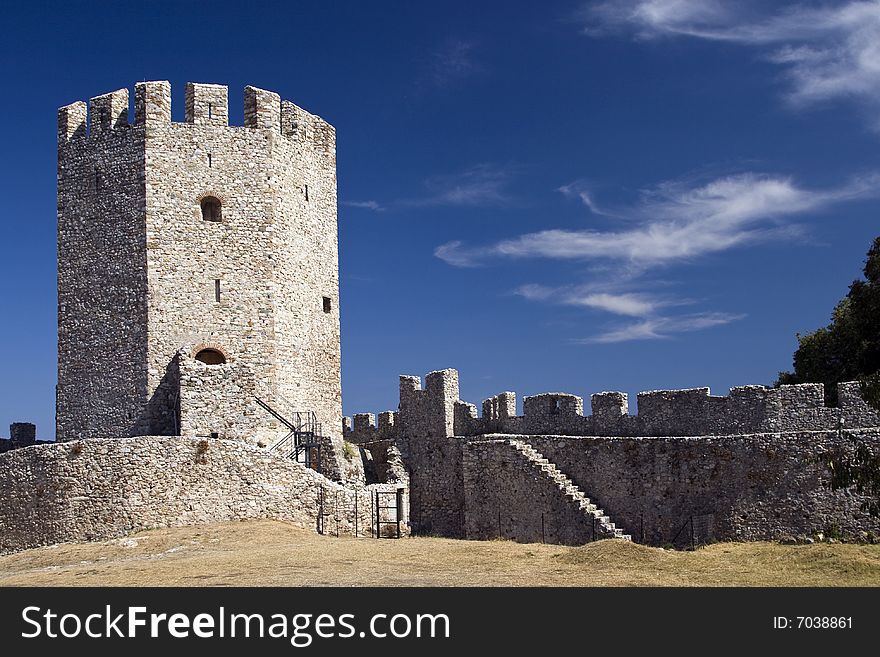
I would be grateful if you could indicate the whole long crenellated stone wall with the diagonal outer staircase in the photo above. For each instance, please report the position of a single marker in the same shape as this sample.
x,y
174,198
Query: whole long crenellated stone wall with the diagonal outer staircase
x,y
748,466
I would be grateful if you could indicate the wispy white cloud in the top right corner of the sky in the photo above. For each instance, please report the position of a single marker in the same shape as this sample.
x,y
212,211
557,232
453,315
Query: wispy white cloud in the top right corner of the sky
x,y
828,51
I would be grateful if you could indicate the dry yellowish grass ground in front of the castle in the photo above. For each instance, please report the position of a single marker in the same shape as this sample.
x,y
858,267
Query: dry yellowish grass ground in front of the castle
x,y
268,553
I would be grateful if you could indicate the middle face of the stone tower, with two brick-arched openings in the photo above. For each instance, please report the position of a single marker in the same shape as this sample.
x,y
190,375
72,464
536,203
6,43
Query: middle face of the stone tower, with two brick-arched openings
x,y
186,255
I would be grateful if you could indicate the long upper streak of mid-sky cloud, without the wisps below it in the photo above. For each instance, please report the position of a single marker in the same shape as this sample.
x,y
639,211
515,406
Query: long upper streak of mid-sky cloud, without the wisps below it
x,y
676,222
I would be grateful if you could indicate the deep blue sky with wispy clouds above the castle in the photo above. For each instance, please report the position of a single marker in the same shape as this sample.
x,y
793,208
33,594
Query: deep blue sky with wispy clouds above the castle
x,y
547,196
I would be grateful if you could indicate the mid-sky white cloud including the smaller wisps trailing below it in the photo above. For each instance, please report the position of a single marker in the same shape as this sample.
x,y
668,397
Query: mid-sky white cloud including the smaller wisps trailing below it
x,y
675,222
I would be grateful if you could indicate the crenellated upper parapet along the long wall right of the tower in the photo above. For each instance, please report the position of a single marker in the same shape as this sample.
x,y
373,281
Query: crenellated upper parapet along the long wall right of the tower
x,y
694,412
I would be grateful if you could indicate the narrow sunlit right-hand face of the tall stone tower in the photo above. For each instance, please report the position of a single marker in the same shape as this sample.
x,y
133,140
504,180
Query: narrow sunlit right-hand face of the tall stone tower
x,y
307,331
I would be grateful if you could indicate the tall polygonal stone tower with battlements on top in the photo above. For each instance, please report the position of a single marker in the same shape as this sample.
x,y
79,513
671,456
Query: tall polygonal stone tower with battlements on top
x,y
197,268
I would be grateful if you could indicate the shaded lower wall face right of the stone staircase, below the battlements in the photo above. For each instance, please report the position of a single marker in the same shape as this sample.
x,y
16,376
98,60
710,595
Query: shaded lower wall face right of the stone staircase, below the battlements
x,y
743,488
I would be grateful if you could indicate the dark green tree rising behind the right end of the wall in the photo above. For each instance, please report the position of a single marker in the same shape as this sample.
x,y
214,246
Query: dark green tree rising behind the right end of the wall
x,y
848,349
